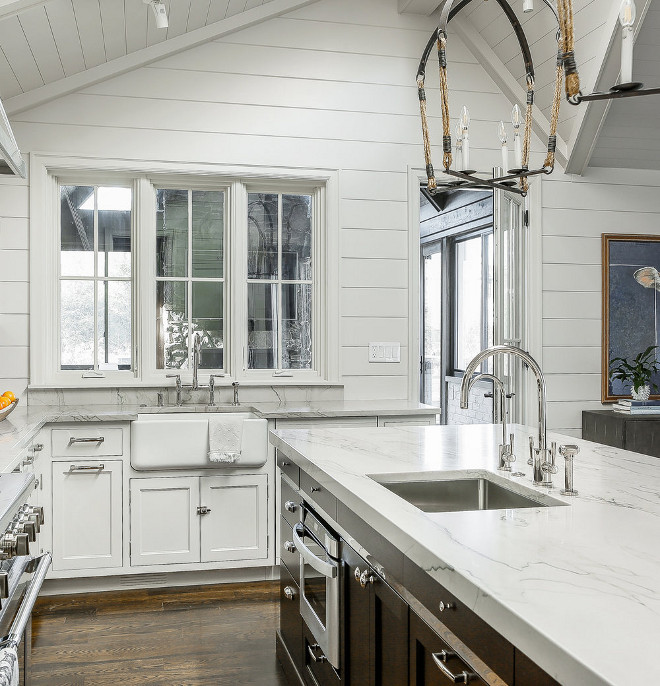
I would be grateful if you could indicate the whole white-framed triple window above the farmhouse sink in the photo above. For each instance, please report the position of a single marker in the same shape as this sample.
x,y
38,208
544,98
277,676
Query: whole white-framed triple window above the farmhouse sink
x,y
142,264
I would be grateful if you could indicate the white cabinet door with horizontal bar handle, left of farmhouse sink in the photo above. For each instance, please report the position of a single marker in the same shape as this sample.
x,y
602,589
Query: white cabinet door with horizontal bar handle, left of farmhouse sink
x,y
87,514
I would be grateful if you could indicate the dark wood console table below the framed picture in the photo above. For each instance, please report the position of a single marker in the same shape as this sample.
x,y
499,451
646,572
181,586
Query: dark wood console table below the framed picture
x,y
640,434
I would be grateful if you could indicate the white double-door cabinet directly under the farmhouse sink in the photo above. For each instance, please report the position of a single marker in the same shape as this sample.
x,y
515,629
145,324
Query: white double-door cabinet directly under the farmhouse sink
x,y
199,519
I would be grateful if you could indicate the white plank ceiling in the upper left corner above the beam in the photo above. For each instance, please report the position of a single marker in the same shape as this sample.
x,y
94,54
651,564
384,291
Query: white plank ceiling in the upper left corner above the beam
x,y
43,42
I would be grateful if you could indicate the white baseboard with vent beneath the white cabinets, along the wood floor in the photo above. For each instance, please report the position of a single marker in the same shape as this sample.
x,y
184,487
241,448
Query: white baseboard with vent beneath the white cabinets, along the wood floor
x,y
164,580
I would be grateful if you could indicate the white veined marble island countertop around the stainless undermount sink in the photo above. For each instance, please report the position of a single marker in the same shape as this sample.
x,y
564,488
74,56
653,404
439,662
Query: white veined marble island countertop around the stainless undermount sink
x,y
576,588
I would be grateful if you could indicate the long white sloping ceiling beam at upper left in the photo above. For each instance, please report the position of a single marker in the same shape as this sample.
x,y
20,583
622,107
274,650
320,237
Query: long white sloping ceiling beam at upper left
x,y
153,53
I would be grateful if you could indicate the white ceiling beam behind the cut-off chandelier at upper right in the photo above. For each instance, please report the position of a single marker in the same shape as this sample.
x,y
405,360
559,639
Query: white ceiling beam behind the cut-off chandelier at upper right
x,y
591,115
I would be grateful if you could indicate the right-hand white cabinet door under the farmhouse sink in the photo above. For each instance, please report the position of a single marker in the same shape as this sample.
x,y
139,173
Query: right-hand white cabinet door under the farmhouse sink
x,y
236,528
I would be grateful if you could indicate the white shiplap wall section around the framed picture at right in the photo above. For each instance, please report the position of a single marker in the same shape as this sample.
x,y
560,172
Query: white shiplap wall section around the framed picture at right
x,y
576,211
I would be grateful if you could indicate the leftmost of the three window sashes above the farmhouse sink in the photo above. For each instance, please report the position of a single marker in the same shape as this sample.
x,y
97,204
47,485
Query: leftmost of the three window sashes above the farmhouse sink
x,y
95,283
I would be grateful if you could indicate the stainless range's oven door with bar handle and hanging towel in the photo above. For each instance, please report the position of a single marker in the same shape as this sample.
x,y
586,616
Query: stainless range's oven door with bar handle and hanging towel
x,y
22,578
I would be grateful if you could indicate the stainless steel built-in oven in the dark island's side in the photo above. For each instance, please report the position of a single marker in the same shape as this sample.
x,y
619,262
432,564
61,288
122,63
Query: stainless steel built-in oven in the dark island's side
x,y
320,580
